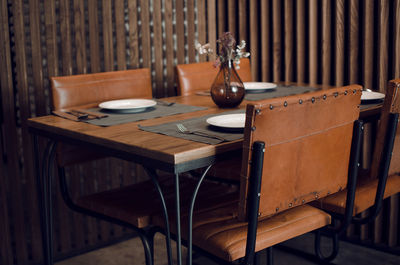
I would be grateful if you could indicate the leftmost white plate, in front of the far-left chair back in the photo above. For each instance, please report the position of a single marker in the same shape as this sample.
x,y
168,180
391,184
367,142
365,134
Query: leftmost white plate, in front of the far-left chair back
x,y
128,105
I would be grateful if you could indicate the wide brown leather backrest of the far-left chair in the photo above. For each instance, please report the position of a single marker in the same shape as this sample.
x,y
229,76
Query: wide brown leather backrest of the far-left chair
x,y
88,90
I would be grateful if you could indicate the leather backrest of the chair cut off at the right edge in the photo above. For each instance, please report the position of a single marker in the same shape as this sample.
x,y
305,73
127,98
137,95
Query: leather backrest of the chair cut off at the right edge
x,y
391,104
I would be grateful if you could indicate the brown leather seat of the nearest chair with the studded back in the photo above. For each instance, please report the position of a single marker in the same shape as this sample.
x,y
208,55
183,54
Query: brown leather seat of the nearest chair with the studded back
x,y
219,232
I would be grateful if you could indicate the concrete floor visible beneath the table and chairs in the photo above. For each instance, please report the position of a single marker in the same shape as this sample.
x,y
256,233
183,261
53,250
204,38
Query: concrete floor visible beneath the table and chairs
x,y
131,252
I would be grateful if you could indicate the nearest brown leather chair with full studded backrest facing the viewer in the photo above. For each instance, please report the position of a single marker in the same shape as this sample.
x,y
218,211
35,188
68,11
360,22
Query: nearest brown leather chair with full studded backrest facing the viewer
x,y
296,149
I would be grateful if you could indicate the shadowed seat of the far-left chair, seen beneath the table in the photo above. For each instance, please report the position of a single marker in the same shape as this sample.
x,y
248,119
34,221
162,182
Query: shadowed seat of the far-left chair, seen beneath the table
x,y
137,203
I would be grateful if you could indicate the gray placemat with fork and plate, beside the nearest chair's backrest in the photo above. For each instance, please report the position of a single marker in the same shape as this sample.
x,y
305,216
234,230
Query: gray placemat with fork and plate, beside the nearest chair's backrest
x,y
198,124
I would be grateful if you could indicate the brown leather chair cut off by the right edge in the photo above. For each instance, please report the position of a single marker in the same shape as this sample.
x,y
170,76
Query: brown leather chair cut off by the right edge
x,y
382,181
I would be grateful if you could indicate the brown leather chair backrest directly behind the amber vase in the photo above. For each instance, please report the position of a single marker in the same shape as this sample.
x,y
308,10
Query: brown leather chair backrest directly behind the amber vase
x,y
200,76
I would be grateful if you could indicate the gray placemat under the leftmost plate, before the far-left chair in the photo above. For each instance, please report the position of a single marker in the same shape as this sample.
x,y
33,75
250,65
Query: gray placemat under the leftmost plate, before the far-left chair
x,y
155,112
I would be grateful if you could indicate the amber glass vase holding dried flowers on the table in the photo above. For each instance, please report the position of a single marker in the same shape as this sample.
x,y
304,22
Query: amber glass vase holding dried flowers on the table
x,y
227,91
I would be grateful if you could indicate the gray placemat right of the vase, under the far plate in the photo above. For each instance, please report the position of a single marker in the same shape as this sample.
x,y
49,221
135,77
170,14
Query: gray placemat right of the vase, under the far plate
x,y
281,91
